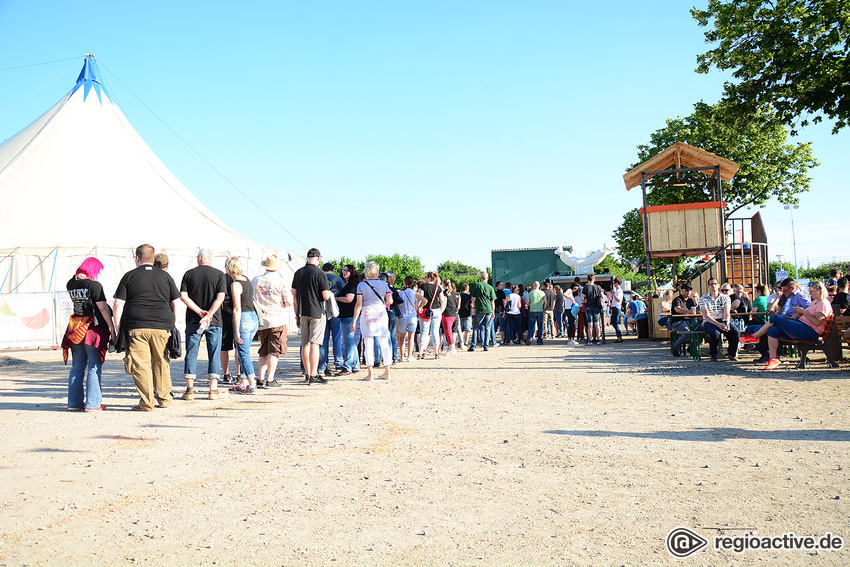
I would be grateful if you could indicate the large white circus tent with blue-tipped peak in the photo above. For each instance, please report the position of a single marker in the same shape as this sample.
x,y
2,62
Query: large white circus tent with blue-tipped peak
x,y
79,181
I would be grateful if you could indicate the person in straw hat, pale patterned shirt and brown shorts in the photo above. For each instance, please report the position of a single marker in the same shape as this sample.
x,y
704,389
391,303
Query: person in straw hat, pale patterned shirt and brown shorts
x,y
271,293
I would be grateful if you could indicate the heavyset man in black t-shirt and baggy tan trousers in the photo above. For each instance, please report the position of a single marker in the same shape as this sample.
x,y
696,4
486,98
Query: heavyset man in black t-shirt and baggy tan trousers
x,y
145,310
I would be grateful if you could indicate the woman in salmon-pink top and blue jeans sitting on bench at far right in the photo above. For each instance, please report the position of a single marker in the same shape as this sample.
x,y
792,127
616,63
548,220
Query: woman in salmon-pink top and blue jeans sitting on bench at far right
x,y
806,324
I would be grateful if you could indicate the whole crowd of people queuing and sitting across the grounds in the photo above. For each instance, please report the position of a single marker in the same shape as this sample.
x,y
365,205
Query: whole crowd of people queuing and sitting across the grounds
x,y
351,320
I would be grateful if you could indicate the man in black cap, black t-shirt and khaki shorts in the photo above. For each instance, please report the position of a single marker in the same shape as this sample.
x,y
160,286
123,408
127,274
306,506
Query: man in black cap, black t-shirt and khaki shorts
x,y
309,292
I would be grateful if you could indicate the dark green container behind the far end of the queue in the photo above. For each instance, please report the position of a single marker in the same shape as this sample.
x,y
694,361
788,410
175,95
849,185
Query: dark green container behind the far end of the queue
x,y
527,265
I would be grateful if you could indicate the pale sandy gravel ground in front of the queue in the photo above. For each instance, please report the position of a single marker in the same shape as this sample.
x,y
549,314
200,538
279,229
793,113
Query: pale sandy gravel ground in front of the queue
x,y
519,456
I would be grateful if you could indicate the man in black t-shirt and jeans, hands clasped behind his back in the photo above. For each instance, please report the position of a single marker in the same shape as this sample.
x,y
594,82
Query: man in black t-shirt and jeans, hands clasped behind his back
x,y
203,290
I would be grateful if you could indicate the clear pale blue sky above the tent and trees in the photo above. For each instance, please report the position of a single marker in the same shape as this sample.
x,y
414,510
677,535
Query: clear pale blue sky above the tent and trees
x,y
437,129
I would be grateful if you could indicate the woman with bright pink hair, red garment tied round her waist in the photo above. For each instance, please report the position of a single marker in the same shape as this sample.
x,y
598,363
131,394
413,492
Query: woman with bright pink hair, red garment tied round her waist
x,y
87,337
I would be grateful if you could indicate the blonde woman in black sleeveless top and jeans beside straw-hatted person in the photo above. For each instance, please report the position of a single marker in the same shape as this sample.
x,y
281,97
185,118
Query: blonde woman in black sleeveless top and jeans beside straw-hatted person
x,y
245,324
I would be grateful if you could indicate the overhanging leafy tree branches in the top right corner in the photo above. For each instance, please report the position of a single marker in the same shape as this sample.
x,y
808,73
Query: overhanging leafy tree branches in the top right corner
x,y
789,54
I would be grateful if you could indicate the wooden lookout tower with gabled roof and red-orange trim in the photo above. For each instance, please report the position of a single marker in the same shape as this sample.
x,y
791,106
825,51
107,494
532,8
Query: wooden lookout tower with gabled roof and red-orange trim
x,y
700,229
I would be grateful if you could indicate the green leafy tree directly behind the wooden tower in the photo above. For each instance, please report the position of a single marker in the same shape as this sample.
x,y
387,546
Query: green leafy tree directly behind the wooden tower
x,y
769,166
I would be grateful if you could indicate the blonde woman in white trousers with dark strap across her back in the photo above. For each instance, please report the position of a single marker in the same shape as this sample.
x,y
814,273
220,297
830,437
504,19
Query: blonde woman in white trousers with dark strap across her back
x,y
373,297
